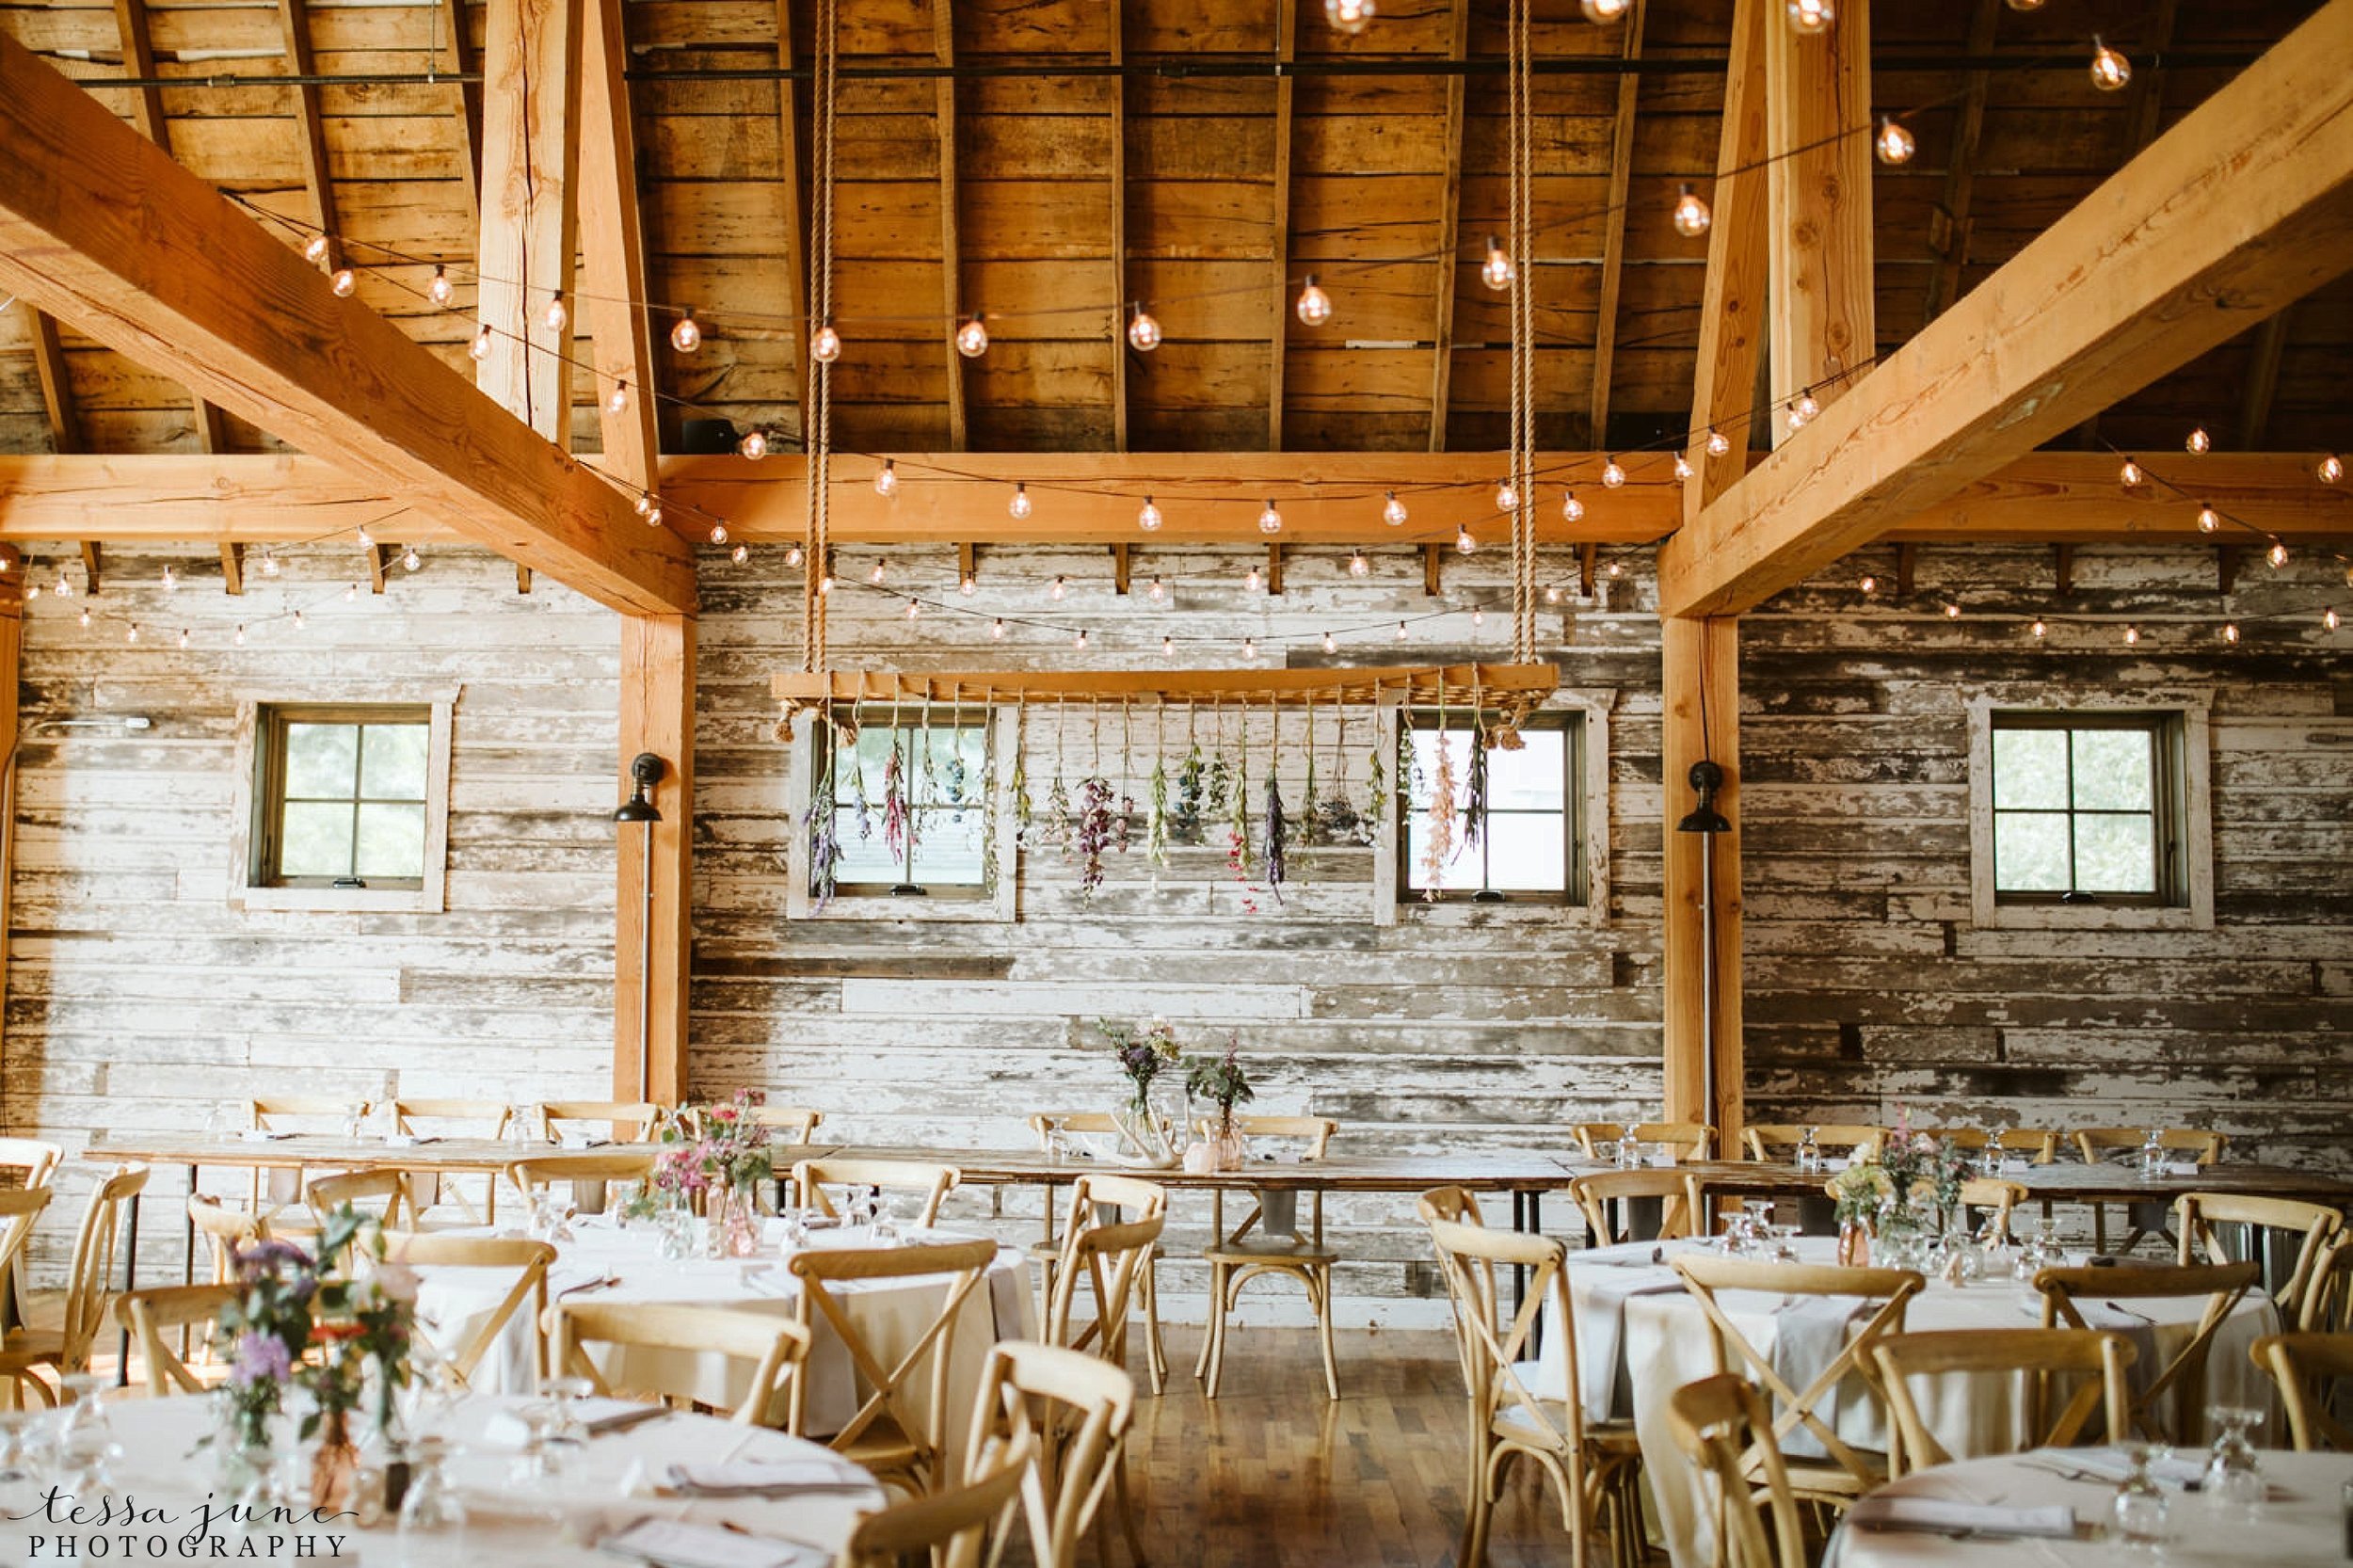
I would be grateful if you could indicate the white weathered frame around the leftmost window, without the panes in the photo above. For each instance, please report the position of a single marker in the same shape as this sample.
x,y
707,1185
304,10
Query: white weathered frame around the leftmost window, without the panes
x,y
260,802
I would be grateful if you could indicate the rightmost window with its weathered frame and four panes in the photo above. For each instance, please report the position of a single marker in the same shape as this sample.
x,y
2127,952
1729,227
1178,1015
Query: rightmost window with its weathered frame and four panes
x,y
2091,818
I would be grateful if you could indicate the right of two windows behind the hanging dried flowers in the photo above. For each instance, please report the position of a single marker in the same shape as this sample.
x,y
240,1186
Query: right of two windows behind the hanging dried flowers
x,y
1533,846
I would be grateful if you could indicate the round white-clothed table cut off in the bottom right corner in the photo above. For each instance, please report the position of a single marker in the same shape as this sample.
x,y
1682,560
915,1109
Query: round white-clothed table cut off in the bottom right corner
x,y
2300,1522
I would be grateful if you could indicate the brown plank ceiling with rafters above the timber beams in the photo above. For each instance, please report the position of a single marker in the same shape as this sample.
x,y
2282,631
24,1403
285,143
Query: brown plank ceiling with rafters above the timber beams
x,y
1164,161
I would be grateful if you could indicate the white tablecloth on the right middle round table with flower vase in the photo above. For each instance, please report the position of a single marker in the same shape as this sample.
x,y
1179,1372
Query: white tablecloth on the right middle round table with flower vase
x,y
1641,1338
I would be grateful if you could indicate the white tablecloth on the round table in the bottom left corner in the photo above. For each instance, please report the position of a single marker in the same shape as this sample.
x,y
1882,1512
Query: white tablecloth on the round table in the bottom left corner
x,y
168,1477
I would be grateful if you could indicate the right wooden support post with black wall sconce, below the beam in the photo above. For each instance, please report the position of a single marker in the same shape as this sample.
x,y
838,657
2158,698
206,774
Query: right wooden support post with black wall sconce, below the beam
x,y
1700,679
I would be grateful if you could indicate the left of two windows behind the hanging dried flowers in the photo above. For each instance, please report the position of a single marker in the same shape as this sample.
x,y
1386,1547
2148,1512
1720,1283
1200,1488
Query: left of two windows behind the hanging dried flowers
x,y
942,780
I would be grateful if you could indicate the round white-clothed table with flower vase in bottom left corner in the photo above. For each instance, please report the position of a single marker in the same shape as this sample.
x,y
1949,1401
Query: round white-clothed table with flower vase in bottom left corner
x,y
702,1489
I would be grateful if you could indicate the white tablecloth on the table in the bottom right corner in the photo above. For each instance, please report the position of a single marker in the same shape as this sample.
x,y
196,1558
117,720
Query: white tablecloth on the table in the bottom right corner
x,y
2300,1524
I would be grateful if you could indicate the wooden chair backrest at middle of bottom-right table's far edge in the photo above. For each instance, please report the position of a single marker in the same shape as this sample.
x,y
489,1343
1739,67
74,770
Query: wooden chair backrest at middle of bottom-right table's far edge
x,y
2046,1357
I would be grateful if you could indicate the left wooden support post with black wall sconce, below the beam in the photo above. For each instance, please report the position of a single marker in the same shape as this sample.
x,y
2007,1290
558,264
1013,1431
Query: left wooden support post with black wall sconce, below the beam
x,y
653,936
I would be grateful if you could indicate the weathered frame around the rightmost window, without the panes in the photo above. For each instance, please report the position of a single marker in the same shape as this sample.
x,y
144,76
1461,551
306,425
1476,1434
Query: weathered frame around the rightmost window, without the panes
x,y
2180,797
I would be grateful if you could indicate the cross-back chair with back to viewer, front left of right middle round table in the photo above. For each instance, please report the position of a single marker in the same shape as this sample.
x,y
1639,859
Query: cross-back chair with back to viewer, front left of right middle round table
x,y
1846,1473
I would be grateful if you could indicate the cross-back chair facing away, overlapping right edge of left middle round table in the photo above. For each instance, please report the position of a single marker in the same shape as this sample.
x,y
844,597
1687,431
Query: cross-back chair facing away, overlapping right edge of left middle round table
x,y
900,1430
